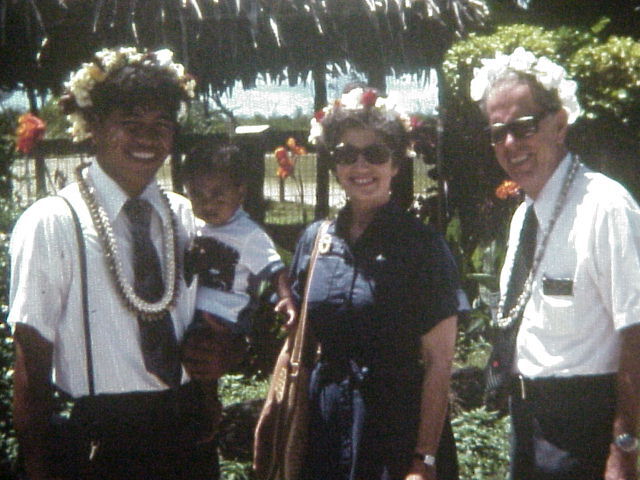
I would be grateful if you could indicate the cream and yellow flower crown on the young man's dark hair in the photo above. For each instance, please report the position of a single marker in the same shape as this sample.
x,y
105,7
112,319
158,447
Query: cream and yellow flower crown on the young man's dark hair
x,y
107,61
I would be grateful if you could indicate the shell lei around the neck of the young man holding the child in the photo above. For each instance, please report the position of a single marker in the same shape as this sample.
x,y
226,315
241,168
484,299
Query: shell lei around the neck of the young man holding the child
x,y
142,308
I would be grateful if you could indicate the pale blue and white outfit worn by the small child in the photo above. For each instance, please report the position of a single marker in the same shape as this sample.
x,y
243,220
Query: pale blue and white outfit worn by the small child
x,y
246,256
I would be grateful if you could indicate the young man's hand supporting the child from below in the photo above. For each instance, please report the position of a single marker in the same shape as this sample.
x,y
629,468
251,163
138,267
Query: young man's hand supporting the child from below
x,y
210,349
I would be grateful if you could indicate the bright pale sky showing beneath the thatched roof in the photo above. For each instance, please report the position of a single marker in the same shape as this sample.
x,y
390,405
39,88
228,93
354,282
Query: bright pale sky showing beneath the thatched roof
x,y
270,99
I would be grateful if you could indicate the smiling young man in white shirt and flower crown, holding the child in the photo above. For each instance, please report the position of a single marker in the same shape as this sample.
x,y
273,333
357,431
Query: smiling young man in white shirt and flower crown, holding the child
x,y
124,372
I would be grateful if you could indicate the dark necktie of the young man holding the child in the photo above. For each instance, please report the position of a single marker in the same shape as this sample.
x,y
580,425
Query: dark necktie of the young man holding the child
x,y
158,338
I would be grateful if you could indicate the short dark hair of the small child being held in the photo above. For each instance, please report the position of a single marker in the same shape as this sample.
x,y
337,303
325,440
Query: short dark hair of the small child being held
x,y
207,159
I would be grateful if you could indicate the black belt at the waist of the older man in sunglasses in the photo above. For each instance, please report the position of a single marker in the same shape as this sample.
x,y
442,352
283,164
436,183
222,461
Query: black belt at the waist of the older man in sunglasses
x,y
531,388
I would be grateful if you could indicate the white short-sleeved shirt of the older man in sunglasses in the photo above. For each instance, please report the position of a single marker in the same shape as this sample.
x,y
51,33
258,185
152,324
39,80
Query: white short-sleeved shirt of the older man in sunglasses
x,y
593,248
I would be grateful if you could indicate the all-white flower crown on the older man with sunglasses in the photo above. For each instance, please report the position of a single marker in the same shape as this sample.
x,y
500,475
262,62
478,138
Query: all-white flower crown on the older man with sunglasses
x,y
548,74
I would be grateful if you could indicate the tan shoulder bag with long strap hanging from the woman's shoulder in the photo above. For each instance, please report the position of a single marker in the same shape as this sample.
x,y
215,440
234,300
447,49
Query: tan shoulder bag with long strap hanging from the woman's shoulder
x,y
280,439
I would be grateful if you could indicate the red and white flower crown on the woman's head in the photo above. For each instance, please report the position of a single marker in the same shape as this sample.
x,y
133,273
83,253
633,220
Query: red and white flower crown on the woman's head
x,y
353,100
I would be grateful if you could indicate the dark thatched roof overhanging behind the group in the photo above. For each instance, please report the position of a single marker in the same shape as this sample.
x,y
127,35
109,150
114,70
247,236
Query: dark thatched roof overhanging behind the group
x,y
222,41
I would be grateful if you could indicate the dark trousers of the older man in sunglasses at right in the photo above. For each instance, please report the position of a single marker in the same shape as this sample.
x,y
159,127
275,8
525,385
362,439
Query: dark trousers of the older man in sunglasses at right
x,y
561,427
